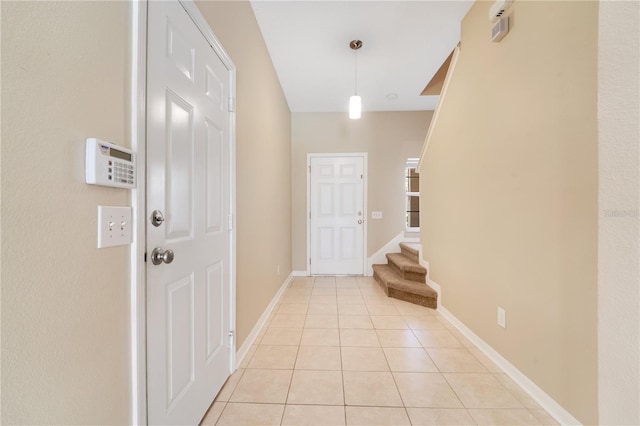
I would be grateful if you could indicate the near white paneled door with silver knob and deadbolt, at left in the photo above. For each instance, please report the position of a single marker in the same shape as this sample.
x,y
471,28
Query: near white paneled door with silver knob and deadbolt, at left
x,y
188,205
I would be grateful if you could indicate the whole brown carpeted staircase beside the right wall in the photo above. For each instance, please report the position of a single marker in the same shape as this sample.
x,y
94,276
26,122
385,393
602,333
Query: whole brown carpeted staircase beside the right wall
x,y
403,278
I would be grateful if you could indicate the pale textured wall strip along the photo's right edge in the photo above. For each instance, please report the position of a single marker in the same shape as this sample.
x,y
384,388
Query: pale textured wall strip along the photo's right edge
x,y
619,213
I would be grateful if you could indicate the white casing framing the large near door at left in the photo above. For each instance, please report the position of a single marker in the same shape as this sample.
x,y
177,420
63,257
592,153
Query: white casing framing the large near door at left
x,y
137,264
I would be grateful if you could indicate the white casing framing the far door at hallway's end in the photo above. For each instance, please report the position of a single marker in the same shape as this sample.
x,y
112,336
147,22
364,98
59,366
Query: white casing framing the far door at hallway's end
x,y
364,202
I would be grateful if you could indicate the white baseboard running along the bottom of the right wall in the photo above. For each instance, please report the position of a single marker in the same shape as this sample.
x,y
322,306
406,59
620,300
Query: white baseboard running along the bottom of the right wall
x,y
541,397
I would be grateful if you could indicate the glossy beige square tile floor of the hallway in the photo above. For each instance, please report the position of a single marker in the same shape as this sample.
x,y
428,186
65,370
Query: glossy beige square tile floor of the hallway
x,y
337,351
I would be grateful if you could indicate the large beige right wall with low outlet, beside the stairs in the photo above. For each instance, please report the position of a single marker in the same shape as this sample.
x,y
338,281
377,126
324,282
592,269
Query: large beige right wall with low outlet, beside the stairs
x,y
509,188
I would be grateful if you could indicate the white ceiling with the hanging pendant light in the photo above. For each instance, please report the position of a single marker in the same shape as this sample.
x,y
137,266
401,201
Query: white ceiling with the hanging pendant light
x,y
404,44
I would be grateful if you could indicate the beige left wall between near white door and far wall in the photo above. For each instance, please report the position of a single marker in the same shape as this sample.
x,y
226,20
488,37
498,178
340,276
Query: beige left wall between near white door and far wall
x,y
263,151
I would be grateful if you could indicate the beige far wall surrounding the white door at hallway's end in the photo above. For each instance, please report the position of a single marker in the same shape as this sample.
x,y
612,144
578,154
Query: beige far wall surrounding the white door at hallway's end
x,y
389,138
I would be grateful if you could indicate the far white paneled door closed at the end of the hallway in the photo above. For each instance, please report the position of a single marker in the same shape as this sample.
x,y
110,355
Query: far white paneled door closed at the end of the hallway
x,y
336,221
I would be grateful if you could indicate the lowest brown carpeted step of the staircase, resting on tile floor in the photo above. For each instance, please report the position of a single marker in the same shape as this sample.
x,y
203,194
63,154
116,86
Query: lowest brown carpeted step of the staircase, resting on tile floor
x,y
399,288
